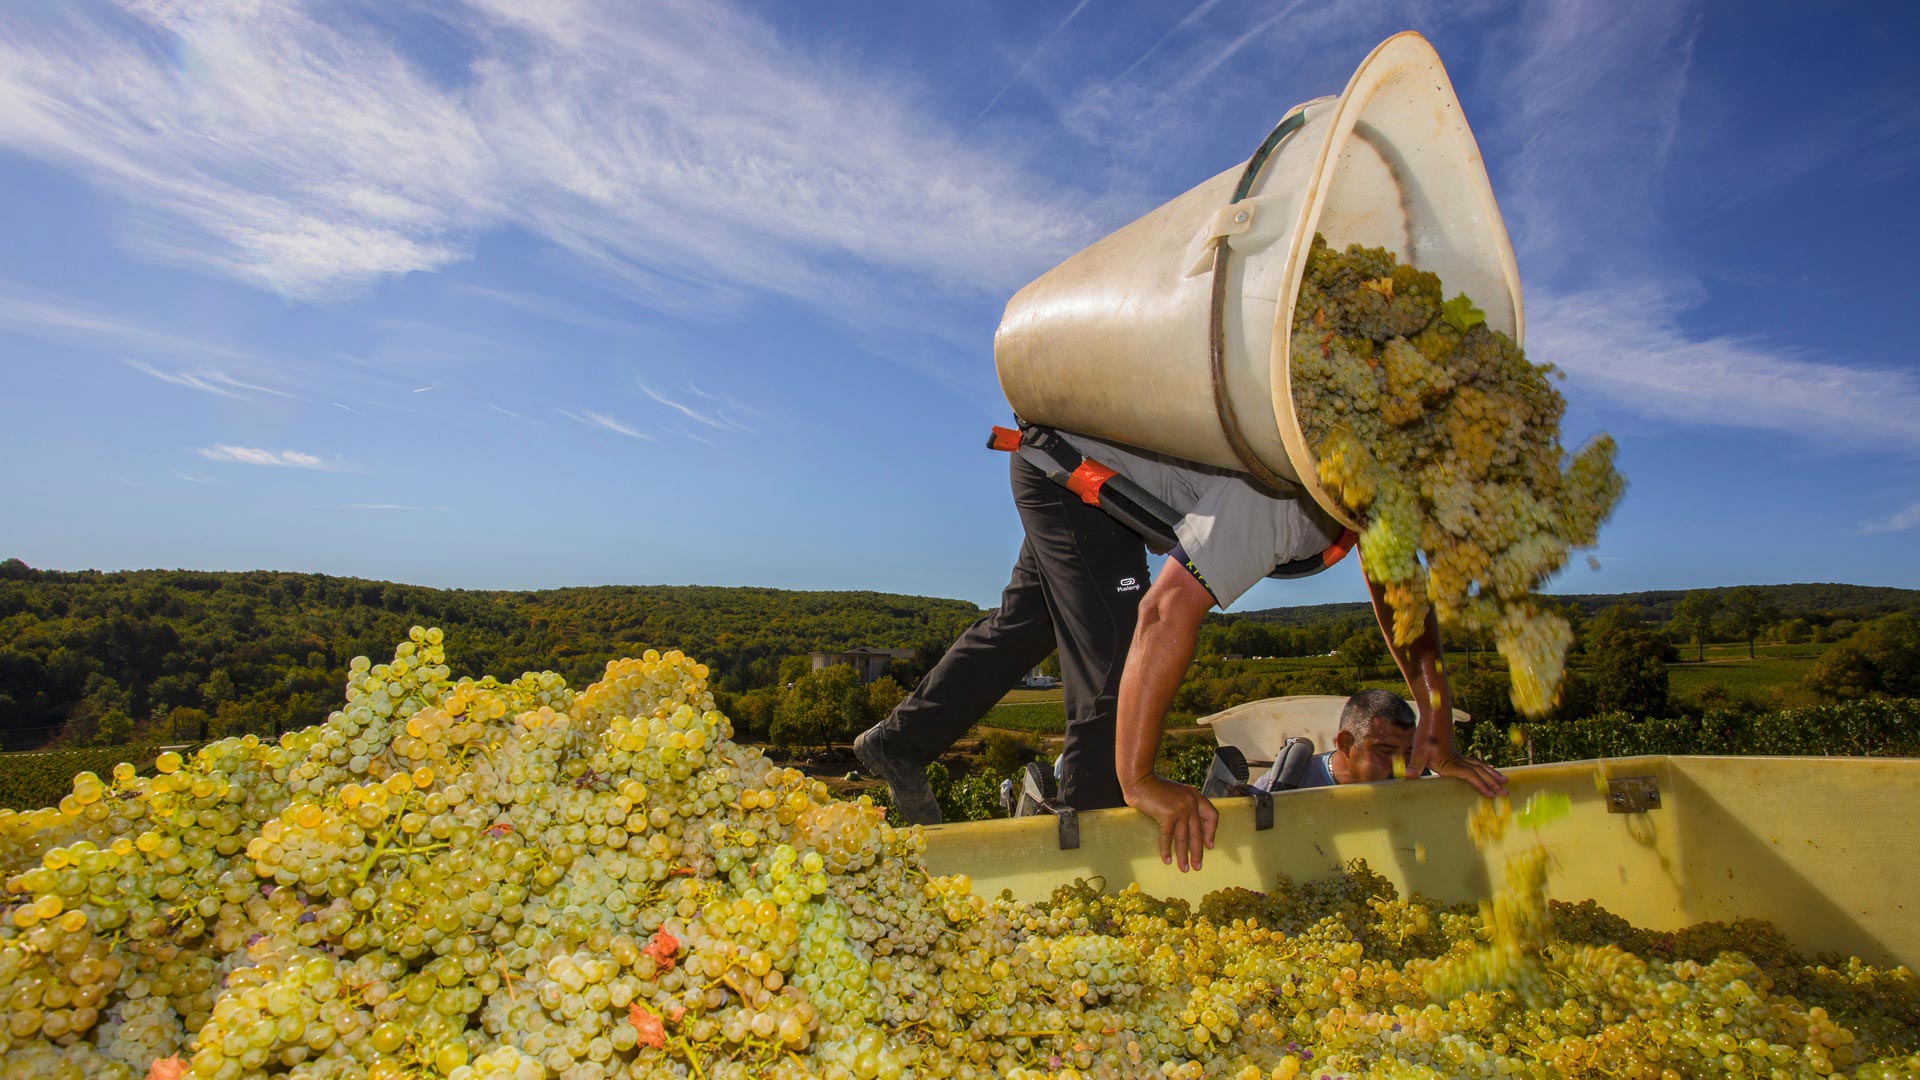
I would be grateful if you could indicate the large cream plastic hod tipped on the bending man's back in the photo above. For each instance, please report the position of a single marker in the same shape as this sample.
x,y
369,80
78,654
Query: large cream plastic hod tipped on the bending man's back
x,y
1116,341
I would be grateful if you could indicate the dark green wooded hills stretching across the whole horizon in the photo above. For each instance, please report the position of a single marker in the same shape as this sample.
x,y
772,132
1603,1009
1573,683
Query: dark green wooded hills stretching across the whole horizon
x,y
162,656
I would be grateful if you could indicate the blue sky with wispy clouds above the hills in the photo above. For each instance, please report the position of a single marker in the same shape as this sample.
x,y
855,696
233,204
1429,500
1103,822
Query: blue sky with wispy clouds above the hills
x,y
512,295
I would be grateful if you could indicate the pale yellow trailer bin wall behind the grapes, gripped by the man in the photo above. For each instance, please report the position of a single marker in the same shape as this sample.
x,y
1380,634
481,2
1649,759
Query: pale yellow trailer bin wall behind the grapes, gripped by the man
x,y
1827,848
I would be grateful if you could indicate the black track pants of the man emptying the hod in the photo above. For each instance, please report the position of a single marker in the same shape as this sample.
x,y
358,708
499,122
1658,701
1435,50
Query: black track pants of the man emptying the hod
x,y
1078,583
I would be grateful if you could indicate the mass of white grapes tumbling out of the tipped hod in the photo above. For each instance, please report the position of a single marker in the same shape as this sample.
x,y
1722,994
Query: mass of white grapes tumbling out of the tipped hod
x,y
1443,439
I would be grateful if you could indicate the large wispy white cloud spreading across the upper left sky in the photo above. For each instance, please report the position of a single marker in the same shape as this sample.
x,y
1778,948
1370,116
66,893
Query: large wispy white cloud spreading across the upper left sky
x,y
656,143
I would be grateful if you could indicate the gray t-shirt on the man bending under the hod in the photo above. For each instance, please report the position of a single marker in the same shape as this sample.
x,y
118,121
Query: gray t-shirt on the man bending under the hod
x,y
1234,531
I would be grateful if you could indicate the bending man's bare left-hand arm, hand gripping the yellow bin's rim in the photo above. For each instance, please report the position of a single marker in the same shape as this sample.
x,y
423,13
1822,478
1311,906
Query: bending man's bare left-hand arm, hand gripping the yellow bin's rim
x,y
1163,647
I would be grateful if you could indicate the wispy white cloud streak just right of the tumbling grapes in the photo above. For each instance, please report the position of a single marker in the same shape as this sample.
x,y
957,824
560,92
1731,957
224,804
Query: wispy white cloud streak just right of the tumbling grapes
x,y
1629,345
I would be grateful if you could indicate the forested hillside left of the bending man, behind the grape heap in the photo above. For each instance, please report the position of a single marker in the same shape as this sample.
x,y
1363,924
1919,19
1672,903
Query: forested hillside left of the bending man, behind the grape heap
x,y
95,656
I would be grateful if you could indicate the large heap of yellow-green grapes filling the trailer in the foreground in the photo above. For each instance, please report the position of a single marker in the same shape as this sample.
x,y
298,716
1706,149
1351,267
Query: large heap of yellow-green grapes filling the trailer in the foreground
x,y
477,879
